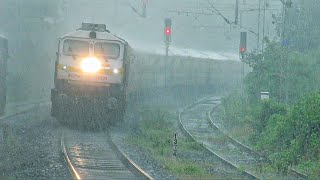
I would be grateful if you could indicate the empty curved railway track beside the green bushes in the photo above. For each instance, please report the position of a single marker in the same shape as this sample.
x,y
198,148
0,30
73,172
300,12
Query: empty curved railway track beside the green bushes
x,y
195,122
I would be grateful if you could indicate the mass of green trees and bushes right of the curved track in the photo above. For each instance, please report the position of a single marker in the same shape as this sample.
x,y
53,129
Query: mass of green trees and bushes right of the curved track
x,y
286,128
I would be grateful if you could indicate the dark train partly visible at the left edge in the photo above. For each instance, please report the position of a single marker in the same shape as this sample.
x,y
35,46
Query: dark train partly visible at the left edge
x,y
3,73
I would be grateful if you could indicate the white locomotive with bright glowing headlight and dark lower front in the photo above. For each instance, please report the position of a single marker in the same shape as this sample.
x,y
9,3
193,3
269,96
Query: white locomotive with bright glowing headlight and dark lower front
x,y
91,77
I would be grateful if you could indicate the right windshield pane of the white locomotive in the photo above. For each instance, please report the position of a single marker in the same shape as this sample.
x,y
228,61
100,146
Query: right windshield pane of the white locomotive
x,y
111,50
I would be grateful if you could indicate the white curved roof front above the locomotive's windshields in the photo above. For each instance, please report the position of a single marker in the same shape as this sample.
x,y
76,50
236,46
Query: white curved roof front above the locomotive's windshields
x,y
99,35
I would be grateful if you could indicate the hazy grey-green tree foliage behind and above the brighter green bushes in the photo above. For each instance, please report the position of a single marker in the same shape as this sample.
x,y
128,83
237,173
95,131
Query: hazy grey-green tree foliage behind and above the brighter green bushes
x,y
285,73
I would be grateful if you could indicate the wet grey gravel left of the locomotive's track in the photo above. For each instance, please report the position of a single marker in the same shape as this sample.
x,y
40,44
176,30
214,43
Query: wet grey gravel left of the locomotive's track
x,y
30,147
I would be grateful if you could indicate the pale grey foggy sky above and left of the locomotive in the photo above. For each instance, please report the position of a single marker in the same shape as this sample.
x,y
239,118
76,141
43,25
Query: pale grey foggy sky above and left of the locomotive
x,y
33,27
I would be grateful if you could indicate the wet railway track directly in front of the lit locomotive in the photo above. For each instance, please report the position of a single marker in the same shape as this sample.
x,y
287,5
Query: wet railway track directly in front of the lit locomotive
x,y
95,156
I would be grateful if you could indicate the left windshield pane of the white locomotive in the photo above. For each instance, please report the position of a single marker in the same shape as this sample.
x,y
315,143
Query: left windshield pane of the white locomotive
x,y
76,47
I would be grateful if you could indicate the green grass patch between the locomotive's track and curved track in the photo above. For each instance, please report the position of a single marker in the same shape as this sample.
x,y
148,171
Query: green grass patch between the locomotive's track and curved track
x,y
155,134
